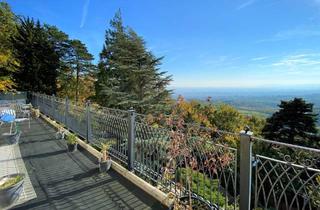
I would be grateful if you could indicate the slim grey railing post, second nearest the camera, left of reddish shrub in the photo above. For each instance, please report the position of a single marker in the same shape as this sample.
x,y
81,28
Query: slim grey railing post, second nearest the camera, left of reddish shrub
x,y
131,138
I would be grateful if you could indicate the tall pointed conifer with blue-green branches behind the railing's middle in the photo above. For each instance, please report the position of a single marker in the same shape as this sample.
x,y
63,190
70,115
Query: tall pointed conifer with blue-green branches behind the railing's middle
x,y
129,74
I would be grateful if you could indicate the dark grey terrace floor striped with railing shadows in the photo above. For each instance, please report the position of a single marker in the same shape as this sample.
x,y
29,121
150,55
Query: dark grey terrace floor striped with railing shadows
x,y
65,180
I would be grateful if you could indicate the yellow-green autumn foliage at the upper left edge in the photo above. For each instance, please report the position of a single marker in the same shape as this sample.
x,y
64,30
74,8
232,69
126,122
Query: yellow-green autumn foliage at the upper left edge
x,y
8,61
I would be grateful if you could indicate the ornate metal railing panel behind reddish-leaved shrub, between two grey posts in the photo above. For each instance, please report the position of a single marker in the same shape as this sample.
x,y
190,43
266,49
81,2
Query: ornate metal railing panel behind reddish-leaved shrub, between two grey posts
x,y
212,175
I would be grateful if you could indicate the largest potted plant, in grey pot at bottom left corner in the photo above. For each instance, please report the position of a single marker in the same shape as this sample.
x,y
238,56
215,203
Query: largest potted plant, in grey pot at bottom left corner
x,y
11,187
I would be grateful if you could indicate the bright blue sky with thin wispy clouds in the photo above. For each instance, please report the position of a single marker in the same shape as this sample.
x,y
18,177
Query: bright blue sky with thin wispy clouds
x,y
208,43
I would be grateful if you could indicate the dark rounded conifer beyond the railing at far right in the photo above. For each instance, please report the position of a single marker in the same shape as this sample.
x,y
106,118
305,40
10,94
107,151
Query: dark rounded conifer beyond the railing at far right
x,y
294,123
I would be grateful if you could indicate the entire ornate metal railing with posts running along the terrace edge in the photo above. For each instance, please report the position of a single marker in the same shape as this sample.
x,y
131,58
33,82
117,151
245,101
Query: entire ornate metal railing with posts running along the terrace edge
x,y
202,168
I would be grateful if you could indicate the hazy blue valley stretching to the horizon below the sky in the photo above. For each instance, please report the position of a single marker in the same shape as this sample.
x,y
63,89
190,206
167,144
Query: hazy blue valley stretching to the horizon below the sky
x,y
260,101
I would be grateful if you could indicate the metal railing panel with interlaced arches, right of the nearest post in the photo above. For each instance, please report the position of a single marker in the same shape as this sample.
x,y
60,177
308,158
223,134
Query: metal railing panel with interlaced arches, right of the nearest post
x,y
285,176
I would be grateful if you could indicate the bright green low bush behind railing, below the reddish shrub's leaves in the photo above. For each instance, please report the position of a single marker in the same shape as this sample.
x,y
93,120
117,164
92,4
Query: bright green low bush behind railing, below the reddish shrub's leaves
x,y
202,185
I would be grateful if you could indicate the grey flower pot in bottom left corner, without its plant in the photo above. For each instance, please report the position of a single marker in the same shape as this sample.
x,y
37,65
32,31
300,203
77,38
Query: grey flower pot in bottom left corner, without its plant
x,y
12,193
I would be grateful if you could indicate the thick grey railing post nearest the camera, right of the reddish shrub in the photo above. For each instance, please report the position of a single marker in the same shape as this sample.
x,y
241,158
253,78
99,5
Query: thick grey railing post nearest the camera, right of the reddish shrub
x,y
245,169
